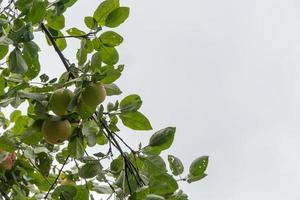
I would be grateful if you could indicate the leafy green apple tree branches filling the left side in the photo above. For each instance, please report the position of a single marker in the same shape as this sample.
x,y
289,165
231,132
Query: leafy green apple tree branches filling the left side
x,y
41,170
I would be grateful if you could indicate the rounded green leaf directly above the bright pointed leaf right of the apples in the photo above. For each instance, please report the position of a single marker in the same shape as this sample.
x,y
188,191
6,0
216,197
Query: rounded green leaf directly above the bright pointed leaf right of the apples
x,y
131,103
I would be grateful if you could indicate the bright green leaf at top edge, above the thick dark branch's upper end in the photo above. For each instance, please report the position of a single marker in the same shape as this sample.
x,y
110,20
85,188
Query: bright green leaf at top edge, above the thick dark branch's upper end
x,y
37,11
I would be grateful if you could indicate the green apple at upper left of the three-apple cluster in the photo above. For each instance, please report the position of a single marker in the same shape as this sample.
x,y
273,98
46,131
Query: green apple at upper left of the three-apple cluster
x,y
60,100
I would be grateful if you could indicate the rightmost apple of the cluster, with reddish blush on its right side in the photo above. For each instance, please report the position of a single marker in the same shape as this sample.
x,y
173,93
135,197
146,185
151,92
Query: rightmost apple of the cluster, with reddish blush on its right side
x,y
94,94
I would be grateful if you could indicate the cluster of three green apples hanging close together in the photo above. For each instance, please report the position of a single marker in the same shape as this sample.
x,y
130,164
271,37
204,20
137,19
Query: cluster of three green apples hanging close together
x,y
57,129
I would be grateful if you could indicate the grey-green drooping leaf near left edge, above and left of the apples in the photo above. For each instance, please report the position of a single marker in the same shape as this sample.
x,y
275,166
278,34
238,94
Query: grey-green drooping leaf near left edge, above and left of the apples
x,y
17,63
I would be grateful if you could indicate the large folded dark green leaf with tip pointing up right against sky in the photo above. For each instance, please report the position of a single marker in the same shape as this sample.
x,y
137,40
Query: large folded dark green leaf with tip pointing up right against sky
x,y
161,140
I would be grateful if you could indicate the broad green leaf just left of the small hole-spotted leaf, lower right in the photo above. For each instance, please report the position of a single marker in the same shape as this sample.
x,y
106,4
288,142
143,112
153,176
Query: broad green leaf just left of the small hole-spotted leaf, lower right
x,y
154,165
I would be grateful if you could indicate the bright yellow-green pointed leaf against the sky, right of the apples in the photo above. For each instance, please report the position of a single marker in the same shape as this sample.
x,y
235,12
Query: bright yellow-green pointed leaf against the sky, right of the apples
x,y
135,121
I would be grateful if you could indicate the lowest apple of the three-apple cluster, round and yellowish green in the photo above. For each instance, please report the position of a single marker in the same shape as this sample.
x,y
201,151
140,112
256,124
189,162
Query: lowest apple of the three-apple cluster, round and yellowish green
x,y
55,130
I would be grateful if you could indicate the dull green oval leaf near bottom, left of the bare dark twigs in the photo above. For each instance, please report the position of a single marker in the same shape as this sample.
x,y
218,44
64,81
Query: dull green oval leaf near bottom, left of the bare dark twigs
x,y
90,170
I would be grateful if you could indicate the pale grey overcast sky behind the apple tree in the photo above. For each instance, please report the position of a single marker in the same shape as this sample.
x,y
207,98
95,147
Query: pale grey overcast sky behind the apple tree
x,y
226,74
